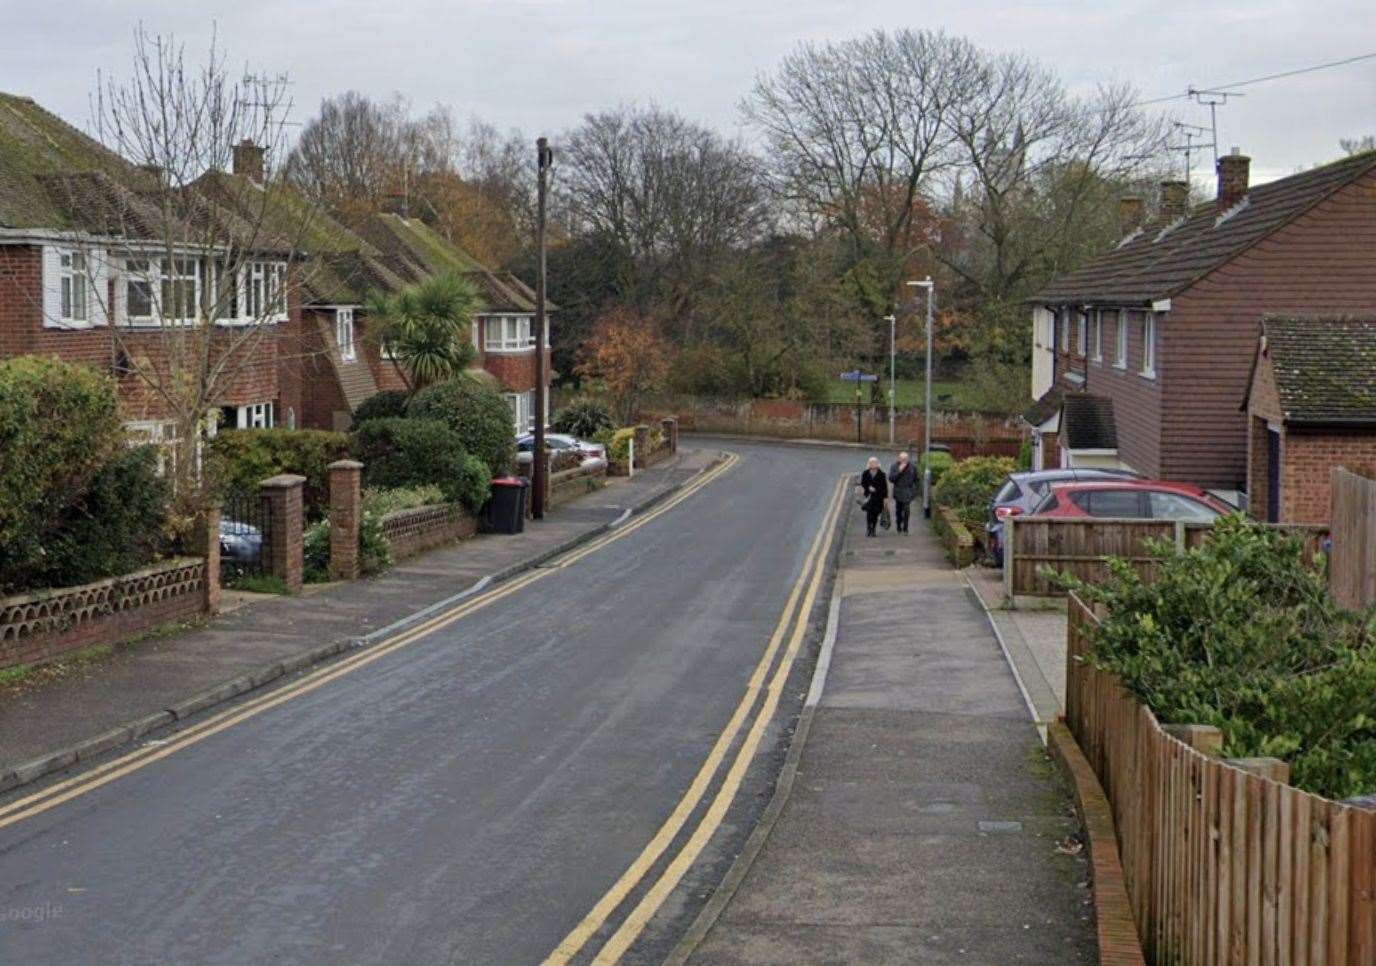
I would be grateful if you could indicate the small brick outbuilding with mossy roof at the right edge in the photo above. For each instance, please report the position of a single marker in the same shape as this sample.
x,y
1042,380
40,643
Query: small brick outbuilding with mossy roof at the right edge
x,y
1311,407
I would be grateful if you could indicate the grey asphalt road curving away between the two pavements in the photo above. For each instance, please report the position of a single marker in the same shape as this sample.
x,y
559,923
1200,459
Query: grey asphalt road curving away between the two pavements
x,y
474,795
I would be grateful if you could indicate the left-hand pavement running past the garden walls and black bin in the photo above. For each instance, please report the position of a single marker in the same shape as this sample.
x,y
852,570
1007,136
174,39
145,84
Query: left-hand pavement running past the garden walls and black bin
x,y
265,634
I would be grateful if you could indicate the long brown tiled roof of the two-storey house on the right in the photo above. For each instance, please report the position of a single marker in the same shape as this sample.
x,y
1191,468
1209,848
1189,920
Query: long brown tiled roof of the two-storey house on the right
x,y
1163,261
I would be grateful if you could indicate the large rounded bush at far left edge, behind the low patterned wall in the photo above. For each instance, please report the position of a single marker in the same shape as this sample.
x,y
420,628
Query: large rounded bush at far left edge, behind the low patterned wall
x,y
60,431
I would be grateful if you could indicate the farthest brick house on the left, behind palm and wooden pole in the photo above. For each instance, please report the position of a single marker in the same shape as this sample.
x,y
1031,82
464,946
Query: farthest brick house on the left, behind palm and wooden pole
x,y
503,332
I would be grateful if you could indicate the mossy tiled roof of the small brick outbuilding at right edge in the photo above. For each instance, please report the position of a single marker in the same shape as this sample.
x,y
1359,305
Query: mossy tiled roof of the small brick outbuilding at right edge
x,y
1326,368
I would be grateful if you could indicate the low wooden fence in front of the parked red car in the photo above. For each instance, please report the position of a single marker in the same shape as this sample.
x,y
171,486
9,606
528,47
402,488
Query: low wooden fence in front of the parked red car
x,y
1082,547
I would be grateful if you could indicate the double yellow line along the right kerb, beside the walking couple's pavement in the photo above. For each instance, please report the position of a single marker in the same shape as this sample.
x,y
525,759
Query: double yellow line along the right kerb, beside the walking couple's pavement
x,y
795,617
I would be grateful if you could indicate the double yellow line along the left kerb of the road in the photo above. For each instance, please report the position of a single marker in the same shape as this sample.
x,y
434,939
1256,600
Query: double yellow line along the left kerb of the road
x,y
80,785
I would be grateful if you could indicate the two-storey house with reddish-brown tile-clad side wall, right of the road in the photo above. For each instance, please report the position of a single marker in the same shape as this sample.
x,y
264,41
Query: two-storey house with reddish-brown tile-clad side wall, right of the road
x,y
1163,330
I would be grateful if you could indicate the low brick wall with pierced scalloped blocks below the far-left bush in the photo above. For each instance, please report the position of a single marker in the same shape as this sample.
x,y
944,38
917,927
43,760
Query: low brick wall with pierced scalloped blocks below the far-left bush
x,y
43,627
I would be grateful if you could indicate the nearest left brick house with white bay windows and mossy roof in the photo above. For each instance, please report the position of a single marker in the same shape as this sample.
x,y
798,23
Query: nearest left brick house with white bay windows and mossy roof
x,y
93,272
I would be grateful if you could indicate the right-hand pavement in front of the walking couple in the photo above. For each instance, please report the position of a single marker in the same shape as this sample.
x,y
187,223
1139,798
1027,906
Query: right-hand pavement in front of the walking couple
x,y
924,822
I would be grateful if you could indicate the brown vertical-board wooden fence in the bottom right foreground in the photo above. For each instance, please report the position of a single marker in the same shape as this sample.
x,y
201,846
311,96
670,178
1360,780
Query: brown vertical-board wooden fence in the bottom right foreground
x,y
1221,866
